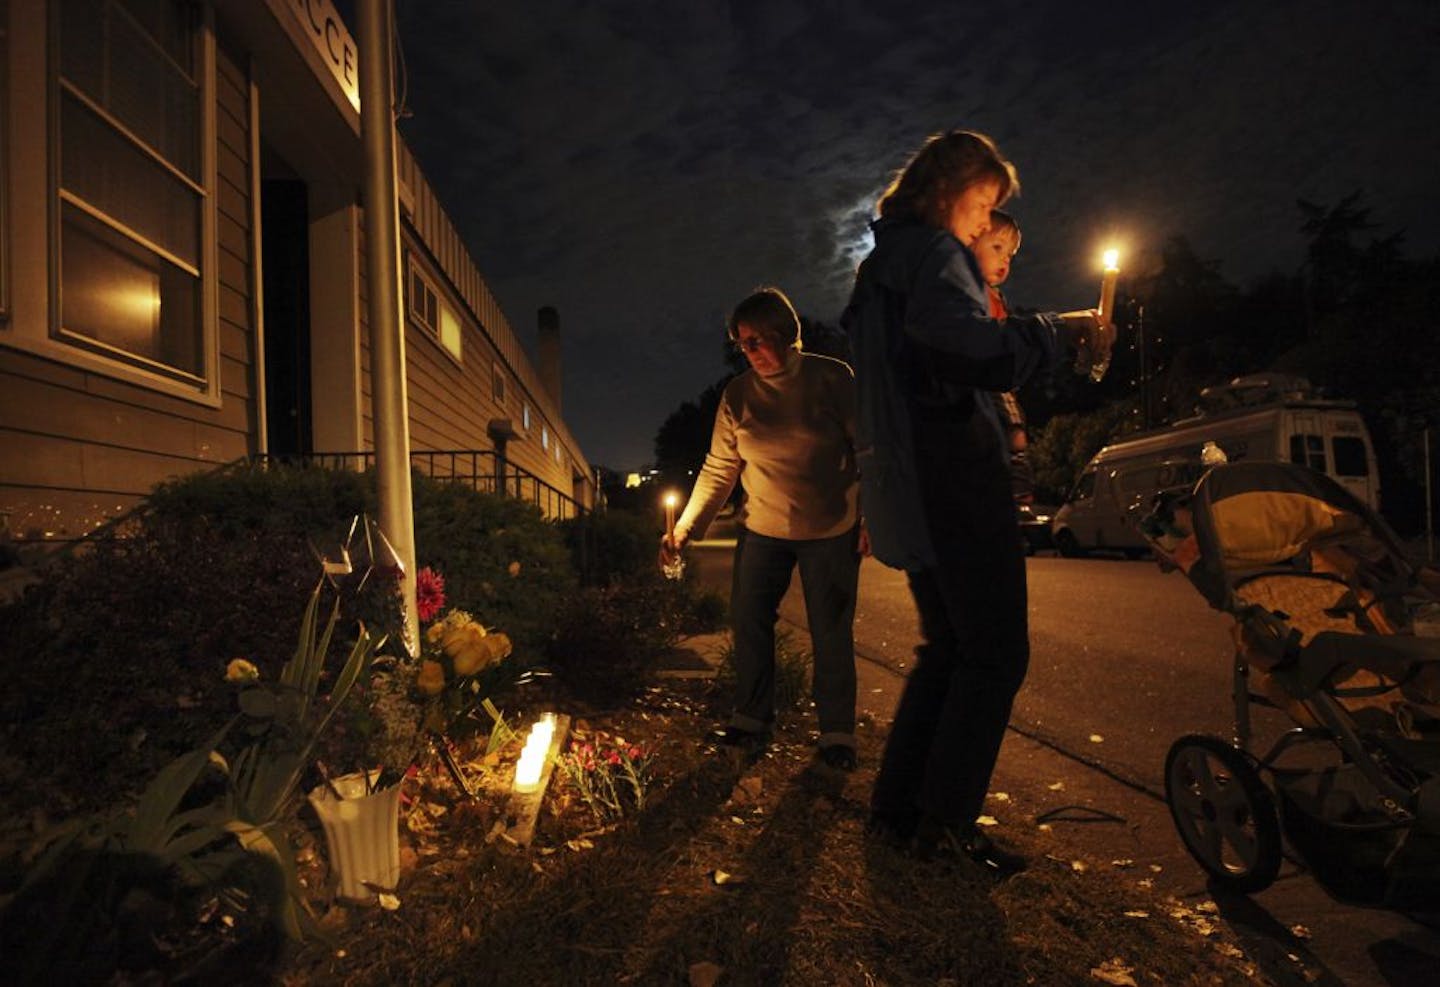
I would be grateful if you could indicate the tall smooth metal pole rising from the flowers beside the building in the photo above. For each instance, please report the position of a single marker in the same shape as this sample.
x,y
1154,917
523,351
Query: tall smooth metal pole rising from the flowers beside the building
x,y
382,220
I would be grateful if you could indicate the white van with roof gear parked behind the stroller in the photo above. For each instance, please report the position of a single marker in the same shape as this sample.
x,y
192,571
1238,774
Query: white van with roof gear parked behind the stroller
x,y
1254,419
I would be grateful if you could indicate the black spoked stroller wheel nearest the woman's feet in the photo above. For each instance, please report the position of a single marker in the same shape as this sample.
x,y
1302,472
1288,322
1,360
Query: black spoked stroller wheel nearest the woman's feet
x,y
1225,813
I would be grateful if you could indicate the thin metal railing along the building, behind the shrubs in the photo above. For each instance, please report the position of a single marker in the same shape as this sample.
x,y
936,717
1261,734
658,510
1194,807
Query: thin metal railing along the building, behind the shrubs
x,y
480,470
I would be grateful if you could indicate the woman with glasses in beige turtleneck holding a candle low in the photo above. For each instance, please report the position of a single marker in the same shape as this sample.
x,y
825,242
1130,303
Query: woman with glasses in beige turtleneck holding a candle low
x,y
786,433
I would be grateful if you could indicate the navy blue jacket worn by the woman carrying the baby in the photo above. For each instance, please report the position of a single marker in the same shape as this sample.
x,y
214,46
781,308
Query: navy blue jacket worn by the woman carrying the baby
x,y
925,348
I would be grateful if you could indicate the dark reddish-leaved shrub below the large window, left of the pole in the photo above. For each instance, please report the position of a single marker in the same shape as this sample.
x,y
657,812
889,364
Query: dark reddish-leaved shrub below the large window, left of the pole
x,y
117,655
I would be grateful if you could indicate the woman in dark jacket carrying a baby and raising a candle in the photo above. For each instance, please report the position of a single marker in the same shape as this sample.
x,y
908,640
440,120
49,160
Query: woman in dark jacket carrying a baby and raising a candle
x,y
937,482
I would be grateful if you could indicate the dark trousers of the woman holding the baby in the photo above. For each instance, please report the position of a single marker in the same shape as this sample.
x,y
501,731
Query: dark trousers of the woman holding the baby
x,y
976,646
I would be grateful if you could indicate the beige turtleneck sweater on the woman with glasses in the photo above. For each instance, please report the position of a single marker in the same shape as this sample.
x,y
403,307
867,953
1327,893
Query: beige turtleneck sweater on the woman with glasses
x,y
788,439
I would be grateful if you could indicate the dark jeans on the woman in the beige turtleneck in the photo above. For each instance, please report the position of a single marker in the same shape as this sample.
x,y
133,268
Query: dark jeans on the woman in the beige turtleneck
x,y
830,571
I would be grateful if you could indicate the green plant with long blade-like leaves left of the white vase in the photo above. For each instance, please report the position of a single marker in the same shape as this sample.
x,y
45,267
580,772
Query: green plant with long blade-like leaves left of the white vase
x,y
207,828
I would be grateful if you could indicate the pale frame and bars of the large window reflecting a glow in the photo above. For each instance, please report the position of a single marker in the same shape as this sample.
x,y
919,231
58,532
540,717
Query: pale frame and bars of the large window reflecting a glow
x,y
84,352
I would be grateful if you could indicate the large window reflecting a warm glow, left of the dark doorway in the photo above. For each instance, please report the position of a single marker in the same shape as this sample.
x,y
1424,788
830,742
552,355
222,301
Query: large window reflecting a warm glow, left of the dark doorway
x,y
132,185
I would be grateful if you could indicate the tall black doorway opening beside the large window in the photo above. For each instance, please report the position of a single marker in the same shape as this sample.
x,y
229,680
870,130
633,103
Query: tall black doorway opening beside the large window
x,y
286,256
